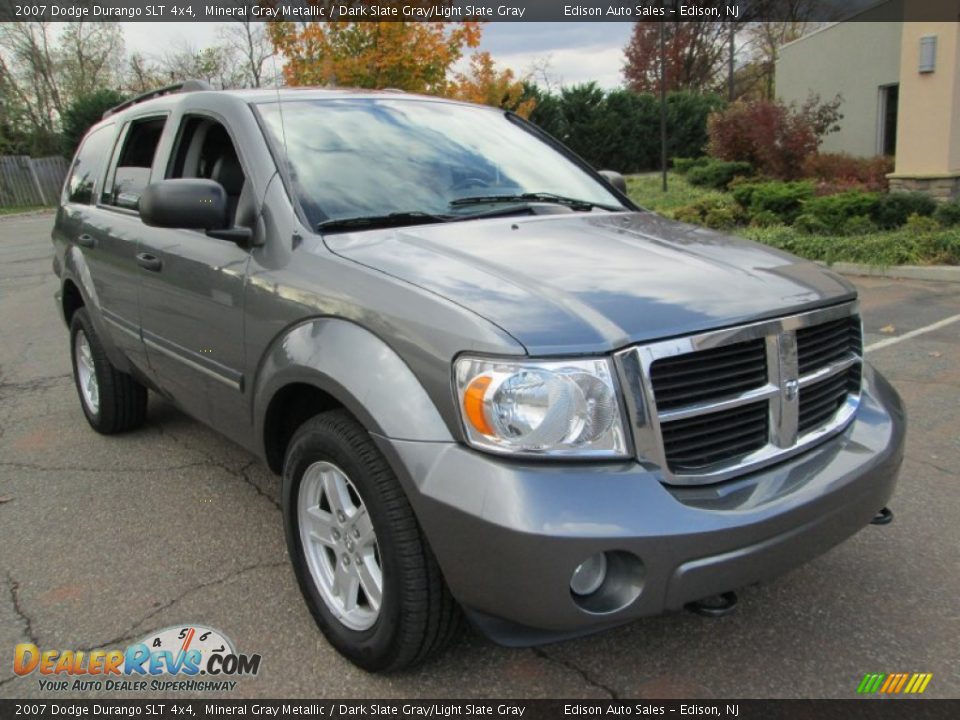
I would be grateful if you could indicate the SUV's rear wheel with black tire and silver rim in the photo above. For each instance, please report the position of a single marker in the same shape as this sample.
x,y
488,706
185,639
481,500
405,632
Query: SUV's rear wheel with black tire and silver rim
x,y
118,402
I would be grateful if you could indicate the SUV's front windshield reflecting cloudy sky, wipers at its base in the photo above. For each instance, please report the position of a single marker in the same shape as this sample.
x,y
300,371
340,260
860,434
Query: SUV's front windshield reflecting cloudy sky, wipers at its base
x,y
362,157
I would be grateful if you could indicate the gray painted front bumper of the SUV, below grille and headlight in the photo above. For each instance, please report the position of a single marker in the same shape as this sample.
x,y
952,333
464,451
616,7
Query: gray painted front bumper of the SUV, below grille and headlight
x,y
509,534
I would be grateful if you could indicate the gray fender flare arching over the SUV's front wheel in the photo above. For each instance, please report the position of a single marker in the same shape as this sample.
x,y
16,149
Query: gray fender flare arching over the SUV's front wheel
x,y
355,367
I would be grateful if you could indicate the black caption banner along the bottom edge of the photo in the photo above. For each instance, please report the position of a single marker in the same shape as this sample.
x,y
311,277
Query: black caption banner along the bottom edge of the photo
x,y
864,709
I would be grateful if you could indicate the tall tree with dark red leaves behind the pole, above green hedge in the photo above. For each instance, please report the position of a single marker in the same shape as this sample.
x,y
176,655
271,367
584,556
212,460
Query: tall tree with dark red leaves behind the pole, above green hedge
x,y
694,55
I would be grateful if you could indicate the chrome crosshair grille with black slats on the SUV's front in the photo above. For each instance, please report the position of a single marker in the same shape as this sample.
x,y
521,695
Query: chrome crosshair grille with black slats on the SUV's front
x,y
710,406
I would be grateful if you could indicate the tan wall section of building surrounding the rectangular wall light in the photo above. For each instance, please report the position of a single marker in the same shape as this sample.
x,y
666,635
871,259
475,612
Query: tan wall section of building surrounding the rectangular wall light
x,y
928,130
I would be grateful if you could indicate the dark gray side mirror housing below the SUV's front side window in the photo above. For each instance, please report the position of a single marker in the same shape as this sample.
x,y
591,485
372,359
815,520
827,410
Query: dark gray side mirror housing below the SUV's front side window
x,y
188,203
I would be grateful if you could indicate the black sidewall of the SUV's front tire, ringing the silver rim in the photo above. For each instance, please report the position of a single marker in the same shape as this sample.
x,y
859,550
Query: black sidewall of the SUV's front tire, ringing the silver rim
x,y
370,648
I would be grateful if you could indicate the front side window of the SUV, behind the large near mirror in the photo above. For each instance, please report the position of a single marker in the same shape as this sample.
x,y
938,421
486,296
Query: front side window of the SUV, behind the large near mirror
x,y
205,150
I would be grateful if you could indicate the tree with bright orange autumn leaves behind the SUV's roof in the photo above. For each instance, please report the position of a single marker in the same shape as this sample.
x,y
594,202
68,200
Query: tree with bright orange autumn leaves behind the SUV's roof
x,y
412,56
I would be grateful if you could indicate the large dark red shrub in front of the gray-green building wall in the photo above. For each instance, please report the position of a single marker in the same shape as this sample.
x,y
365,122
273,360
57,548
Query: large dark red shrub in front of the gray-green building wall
x,y
774,137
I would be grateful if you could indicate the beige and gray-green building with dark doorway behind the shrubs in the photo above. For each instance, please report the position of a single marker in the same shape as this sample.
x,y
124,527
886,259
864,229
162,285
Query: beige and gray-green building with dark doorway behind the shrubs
x,y
900,82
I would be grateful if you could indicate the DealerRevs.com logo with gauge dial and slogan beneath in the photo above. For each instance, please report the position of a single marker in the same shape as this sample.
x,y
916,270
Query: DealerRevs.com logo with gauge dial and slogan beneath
x,y
179,658
